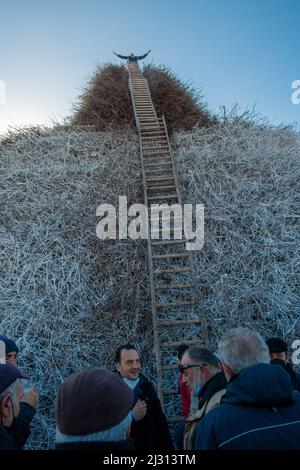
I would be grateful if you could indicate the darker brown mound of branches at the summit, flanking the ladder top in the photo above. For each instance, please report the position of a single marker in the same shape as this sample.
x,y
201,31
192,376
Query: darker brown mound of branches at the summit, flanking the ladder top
x,y
106,102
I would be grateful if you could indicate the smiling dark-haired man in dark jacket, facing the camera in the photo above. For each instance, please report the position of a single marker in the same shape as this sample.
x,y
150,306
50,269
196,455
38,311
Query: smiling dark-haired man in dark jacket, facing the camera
x,y
149,428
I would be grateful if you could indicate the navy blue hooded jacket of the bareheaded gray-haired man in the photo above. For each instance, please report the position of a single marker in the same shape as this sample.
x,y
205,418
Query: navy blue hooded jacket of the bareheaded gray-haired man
x,y
259,411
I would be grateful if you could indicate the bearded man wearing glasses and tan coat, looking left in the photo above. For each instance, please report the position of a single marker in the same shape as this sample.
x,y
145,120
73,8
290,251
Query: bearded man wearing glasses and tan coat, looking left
x,y
201,371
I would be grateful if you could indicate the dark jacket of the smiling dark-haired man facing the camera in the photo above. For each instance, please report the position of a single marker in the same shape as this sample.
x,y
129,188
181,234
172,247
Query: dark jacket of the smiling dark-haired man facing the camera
x,y
151,432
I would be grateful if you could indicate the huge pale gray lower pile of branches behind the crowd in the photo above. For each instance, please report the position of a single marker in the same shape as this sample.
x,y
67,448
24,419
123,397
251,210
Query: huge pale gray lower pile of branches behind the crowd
x,y
69,299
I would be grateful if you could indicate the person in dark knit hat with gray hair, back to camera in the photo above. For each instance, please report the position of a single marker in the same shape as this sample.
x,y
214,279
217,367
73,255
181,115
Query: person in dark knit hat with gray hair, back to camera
x,y
93,412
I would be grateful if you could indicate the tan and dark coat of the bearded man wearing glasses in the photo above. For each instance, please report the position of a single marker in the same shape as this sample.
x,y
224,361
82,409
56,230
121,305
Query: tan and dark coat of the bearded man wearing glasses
x,y
209,398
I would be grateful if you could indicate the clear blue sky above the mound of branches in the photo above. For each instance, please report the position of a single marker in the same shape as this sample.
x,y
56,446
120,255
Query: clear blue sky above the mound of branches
x,y
238,51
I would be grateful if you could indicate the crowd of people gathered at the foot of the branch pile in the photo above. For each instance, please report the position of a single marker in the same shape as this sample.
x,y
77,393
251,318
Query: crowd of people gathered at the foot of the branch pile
x,y
245,396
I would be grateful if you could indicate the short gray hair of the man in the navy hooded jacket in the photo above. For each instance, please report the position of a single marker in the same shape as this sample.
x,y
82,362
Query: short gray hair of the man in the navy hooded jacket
x,y
241,348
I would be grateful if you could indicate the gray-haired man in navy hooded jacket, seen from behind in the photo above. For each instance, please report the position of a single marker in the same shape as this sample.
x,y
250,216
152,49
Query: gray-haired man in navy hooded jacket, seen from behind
x,y
260,410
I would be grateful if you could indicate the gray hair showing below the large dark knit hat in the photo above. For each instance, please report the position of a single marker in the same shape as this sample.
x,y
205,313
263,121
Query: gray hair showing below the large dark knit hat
x,y
116,433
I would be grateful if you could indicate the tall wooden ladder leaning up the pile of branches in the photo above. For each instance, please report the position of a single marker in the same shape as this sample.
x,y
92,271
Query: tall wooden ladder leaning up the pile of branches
x,y
171,266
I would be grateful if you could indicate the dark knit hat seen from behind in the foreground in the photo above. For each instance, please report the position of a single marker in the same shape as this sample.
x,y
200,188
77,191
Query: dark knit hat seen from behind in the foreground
x,y
91,401
